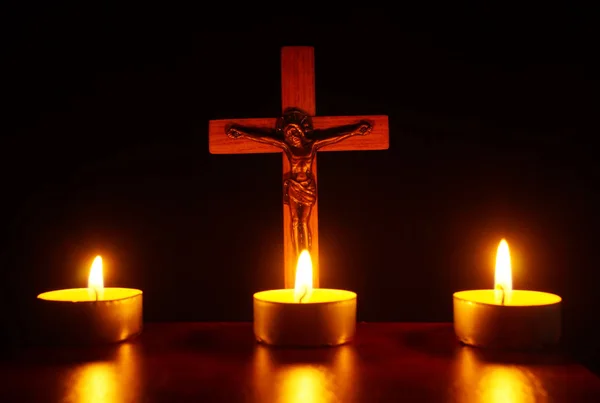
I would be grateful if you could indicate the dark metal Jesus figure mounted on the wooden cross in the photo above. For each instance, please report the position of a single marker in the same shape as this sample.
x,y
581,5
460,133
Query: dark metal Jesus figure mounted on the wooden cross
x,y
295,135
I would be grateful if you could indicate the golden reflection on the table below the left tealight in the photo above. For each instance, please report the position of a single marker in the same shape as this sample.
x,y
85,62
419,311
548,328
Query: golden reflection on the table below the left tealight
x,y
114,381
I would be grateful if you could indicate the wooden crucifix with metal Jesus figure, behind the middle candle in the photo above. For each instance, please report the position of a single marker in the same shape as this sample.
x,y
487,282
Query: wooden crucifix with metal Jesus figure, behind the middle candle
x,y
298,134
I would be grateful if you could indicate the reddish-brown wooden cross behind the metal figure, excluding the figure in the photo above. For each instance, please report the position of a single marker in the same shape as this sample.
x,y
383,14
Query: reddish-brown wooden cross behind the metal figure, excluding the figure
x,y
298,91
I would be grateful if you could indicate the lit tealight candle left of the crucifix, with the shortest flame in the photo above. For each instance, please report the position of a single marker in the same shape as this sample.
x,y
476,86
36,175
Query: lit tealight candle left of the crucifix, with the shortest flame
x,y
91,315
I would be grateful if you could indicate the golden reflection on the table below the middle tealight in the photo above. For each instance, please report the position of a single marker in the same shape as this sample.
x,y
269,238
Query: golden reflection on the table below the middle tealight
x,y
305,381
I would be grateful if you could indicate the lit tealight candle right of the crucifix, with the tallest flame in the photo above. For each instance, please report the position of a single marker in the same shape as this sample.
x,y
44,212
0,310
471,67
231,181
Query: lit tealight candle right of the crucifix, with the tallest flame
x,y
507,318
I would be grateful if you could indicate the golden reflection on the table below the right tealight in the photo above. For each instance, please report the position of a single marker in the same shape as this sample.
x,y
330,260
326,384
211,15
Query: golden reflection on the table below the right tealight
x,y
478,381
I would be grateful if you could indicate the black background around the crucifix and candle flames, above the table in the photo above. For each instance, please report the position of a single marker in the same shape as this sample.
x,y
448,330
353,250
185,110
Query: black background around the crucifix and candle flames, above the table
x,y
493,117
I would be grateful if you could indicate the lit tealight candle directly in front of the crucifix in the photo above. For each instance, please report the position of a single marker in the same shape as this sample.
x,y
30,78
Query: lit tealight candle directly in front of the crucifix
x,y
304,316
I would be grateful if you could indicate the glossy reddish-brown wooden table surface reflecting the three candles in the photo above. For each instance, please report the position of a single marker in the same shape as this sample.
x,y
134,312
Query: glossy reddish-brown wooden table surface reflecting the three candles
x,y
219,362
